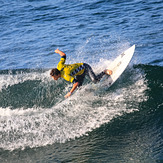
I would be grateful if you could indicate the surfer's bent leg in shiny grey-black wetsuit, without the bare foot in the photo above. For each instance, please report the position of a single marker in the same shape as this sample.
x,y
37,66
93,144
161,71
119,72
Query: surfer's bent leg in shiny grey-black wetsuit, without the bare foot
x,y
91,74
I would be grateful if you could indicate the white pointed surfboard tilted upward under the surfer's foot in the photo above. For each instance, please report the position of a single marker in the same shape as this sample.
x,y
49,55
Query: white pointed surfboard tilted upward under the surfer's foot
x,y
119,64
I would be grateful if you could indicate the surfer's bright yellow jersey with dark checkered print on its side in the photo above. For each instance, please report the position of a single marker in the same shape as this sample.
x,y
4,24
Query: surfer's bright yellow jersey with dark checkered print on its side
x,y
69,71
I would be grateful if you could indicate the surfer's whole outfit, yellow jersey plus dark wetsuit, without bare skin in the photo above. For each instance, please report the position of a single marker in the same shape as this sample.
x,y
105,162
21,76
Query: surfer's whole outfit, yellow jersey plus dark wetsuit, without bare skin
x,y
76,72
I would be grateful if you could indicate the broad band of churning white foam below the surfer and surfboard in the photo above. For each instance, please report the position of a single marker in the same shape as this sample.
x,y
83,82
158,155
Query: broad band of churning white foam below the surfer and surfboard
x,y
69,119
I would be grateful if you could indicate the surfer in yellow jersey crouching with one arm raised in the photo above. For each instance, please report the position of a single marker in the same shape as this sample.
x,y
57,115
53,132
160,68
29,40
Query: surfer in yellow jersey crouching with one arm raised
x,y
75,73
